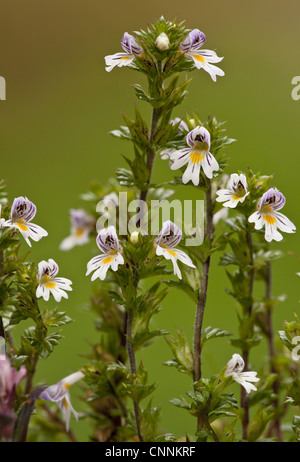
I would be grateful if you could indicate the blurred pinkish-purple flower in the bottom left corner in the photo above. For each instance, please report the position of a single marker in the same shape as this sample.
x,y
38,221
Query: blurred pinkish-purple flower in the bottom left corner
x,y
9,380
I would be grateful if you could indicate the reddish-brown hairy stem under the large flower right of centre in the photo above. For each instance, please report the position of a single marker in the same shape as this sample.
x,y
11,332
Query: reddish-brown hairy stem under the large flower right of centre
x,y
197,369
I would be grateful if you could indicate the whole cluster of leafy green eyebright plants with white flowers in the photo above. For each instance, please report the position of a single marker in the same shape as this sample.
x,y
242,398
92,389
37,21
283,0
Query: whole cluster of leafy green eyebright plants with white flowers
x,y
134,272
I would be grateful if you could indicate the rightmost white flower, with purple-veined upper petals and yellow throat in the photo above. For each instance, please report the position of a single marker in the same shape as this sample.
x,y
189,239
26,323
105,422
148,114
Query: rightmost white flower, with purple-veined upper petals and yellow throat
x,y
267,215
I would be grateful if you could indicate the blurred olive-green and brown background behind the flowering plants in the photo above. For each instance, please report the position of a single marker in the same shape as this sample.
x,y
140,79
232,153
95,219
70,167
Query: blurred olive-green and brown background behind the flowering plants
x,y
54,139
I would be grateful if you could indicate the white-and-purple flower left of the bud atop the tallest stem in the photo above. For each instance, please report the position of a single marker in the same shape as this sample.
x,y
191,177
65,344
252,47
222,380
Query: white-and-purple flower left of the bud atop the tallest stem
x,y
131,48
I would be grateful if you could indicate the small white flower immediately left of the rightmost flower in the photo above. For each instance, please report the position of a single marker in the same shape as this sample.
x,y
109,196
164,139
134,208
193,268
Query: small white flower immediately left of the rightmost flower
x,y
236,191
